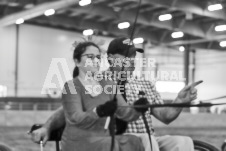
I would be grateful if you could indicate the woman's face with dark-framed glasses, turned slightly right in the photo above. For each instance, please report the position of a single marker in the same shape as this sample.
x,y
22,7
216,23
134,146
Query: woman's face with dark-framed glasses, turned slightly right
x,y
90,60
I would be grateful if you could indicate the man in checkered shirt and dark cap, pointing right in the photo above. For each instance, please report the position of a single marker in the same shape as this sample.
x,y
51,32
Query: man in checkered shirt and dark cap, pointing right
x,y
118,50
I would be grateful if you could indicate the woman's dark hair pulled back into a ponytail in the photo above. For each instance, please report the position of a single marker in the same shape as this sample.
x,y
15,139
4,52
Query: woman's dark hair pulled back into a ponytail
x,y
78,51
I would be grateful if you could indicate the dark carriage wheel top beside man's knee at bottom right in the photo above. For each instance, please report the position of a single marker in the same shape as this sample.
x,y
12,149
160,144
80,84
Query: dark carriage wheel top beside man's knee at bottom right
x,y
202,146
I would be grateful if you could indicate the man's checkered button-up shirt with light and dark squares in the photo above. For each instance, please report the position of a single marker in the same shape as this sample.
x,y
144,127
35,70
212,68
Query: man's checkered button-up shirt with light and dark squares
x,y
132,89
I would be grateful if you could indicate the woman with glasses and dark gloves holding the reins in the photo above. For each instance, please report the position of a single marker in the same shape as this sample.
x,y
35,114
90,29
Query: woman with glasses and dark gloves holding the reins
x,y
86,111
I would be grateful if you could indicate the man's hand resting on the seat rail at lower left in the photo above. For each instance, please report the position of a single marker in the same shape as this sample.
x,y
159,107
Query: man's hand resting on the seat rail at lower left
x,y
40,134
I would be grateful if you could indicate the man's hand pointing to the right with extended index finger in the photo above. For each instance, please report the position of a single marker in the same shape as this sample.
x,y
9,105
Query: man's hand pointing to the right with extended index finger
x,y
189,92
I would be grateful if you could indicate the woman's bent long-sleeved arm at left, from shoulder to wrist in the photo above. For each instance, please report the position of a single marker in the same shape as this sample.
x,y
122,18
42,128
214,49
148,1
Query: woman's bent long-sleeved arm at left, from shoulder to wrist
x,y
72,104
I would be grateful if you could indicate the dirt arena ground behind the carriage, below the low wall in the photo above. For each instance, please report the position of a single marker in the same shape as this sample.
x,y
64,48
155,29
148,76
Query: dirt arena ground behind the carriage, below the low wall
x,y
17,139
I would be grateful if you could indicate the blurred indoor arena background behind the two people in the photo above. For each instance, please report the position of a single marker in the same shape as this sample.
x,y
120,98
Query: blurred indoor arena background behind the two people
x,y
186,40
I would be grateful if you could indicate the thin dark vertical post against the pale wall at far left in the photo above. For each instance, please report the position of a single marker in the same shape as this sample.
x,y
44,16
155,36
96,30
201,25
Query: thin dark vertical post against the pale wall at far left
x,y
16,60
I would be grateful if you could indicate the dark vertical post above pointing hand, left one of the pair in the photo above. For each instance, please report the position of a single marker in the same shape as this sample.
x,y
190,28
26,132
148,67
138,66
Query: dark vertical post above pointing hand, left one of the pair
x,y
186,64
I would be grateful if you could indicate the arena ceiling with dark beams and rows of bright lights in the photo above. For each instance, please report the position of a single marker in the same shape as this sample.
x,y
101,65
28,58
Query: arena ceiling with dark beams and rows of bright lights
x,y
188,16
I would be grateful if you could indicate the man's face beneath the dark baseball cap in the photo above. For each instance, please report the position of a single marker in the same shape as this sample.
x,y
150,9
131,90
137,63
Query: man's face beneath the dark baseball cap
x,y
117,61
